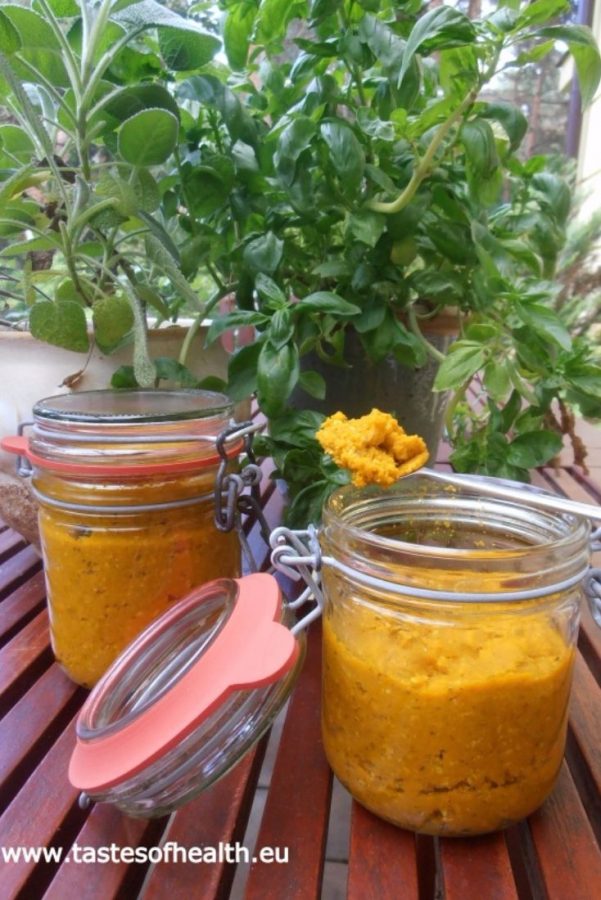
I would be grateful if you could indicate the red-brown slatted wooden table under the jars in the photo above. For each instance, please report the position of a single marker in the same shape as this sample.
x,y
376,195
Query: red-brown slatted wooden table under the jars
x,y
555,854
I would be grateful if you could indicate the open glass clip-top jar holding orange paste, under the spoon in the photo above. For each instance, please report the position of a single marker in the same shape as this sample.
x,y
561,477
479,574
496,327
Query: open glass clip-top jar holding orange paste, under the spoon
x,y
450,624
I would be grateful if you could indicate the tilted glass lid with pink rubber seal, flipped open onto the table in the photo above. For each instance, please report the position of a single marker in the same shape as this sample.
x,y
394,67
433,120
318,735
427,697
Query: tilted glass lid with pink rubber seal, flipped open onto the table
x,y
187,698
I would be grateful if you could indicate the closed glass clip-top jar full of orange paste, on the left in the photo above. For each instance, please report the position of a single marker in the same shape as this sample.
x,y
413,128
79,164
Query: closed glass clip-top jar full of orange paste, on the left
x,y
125,482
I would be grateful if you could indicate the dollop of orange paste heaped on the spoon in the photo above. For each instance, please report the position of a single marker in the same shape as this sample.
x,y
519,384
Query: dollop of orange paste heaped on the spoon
x,y
375,448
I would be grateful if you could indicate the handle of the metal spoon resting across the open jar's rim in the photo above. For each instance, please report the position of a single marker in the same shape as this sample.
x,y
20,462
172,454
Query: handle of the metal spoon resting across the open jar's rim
x,y
515,490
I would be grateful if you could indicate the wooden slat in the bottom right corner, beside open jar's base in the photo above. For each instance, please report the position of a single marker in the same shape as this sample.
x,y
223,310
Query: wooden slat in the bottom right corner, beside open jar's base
x,y
569,856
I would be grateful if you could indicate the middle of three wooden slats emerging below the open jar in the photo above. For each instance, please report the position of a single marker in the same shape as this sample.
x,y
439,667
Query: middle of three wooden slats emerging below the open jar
x,y
477,867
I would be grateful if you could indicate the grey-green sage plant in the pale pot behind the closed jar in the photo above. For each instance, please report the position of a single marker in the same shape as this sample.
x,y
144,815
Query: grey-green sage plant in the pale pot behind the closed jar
x,y
89,147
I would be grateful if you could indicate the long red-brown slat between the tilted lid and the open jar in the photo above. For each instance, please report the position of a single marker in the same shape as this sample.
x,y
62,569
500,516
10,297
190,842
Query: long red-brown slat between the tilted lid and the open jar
x,y
298,802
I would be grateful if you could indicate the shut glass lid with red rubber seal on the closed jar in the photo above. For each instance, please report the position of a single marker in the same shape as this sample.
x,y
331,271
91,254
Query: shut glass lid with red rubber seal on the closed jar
x,y
140,432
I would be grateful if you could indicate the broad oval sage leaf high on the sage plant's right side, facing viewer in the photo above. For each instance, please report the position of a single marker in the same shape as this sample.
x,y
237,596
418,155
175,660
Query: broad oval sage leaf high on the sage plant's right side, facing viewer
x,y
149,137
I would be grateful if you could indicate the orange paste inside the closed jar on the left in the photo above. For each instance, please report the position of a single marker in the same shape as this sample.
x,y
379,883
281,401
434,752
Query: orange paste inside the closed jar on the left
x,y
109,574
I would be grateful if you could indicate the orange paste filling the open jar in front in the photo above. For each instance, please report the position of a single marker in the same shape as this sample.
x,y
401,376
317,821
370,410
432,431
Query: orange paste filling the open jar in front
x,y
445,730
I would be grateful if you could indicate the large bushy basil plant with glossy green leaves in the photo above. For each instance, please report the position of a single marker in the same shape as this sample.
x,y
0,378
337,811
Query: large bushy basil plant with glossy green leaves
x,y
383,190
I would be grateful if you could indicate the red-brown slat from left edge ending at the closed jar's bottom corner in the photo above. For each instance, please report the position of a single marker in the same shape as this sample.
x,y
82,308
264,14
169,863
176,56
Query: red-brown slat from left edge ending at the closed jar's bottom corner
x,y
27,730
